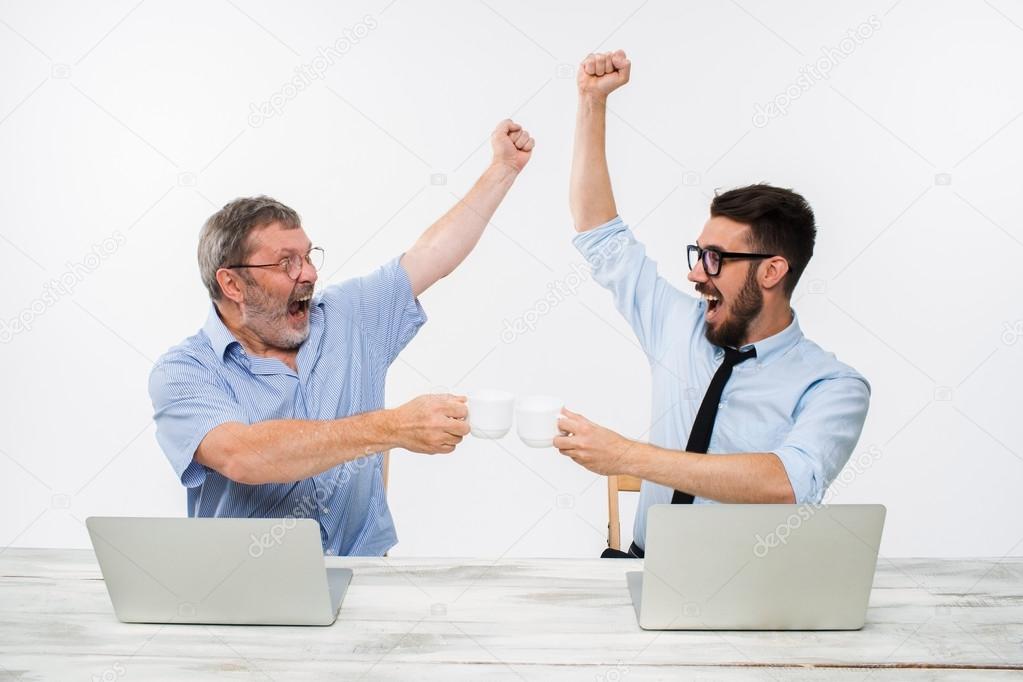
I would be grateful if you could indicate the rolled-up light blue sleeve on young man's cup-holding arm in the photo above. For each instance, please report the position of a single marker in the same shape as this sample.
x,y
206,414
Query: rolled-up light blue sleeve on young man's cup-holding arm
x,y
828,424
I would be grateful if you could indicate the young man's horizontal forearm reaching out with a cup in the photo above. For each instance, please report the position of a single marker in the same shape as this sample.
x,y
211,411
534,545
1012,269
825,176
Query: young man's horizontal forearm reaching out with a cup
x,y
743,478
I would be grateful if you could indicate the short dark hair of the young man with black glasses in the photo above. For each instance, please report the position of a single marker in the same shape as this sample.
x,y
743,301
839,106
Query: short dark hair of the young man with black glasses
x,y
781,222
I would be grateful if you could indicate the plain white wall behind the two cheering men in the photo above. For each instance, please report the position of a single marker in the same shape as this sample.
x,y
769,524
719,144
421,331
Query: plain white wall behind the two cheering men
x,y
130,122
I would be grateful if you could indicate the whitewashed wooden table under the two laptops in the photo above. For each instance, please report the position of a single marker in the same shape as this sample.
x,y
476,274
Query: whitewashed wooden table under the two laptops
x,y
514,620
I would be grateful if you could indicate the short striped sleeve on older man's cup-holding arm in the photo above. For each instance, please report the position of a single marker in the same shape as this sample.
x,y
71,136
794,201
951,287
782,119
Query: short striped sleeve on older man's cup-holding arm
x,y
189,401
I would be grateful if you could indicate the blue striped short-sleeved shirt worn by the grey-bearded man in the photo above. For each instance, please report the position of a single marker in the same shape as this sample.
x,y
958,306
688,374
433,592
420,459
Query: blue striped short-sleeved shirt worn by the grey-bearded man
x,y
357,330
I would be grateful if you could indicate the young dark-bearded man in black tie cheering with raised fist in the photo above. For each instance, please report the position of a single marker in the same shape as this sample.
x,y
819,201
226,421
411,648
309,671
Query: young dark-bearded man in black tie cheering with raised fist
x,y
733,375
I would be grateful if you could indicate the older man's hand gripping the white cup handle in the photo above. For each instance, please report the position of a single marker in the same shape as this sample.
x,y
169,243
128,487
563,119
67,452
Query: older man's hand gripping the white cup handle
x,y
431,425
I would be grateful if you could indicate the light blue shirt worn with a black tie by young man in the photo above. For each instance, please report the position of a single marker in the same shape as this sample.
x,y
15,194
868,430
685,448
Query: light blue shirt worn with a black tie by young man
x,y
794,399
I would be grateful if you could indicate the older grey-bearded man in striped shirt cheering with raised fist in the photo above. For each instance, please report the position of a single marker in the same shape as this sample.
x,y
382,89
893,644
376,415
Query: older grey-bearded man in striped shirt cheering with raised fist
x,y
276,407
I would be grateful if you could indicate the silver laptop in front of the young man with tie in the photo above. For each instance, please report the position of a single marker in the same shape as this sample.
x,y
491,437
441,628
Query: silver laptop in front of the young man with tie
x,y
758,567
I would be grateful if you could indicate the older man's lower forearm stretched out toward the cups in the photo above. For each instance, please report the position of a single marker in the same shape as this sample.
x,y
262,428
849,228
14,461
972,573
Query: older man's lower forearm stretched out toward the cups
x,y
289,450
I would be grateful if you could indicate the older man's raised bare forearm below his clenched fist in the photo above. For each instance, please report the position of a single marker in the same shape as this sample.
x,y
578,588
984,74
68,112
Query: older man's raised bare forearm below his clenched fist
x,y
447,244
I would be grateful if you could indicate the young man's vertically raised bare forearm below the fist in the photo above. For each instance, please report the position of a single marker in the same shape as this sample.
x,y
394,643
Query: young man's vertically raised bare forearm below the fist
x,y
591,197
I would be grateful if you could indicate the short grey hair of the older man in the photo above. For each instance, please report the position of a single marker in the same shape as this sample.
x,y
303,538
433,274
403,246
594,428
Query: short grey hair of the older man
x,y
226,236
